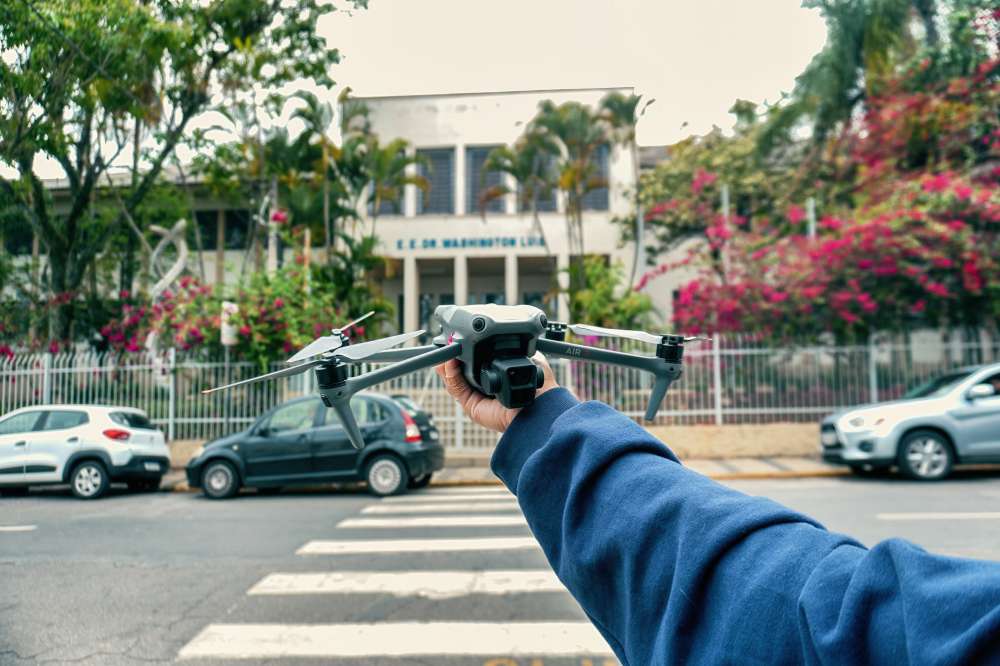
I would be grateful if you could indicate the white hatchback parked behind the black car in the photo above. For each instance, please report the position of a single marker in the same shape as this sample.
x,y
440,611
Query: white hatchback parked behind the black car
x,y
86,446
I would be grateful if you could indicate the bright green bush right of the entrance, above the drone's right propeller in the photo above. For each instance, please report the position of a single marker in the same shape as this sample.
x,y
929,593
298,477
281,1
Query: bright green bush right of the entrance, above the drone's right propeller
x,y
604,298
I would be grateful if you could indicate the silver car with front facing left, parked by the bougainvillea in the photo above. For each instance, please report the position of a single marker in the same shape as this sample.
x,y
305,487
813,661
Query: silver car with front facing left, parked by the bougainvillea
x,y
953,418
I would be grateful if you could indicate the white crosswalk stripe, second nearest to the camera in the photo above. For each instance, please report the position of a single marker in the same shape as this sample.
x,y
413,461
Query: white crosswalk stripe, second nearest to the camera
x,y
426,584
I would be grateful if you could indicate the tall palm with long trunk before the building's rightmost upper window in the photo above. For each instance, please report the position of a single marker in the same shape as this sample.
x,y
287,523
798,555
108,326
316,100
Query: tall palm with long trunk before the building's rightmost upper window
x,y
576,134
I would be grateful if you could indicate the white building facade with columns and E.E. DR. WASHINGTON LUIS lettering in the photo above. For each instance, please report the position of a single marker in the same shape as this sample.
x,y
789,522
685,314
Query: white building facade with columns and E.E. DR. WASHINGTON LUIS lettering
x,y
444,251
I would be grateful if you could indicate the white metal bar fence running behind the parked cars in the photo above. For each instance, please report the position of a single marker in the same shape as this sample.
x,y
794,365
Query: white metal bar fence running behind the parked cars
x,y
734,380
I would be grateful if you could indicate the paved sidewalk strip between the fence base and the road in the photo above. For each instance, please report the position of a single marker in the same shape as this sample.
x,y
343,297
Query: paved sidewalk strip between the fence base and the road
x,y
473,469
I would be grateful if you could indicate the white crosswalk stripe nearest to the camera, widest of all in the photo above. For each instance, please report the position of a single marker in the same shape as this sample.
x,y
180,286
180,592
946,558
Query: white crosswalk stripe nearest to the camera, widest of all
x,y
396,639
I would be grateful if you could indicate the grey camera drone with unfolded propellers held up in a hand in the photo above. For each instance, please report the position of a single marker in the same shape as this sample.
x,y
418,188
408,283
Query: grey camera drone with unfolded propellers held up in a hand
x,y
494,344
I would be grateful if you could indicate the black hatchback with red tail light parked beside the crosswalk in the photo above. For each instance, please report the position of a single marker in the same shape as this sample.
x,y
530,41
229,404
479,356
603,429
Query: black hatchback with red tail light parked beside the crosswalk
x,y
303,442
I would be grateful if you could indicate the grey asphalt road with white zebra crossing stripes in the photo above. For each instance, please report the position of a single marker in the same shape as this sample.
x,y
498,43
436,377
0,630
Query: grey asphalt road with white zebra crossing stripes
x,y
149,578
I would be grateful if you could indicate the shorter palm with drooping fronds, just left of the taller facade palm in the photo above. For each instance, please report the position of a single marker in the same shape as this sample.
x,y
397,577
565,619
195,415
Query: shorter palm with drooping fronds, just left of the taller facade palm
x,y
529,163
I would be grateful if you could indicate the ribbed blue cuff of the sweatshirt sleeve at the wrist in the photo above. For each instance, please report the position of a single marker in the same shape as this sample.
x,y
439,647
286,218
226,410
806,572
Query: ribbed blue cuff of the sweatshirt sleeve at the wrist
x,y
528,432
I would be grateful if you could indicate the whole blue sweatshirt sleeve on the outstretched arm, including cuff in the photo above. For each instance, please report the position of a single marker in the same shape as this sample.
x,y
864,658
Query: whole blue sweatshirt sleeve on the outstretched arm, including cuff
x,y
674,568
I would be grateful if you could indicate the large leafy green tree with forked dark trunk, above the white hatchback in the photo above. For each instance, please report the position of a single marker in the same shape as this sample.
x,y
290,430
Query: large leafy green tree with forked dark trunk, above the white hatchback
x,y
82,83
